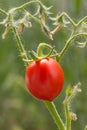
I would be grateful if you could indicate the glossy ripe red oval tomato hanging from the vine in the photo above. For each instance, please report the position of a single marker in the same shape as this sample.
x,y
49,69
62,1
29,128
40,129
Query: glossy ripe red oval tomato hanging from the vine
x,y
44,79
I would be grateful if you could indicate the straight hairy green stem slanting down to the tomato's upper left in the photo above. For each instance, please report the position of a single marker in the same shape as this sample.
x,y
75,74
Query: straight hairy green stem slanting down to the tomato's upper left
x,y
20,46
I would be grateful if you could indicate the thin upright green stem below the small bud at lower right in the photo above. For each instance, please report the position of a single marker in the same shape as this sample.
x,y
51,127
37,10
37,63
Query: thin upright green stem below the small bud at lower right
x,y
68,119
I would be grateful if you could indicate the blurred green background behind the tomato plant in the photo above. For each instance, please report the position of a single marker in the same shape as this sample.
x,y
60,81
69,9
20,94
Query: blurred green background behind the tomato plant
x,y
18,109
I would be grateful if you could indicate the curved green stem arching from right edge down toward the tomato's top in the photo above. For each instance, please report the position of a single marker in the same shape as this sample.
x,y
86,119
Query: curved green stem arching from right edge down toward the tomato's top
x,y
68,43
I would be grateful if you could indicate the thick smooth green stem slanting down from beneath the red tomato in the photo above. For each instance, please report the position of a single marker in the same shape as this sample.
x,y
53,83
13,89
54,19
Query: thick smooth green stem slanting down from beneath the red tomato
x,y
52,109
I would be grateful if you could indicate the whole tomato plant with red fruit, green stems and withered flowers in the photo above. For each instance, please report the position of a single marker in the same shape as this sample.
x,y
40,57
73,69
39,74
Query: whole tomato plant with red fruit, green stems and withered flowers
x,y
44,75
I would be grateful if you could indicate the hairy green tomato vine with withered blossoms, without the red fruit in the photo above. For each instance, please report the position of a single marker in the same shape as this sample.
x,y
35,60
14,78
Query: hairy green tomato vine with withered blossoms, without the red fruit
x,y
60,21
